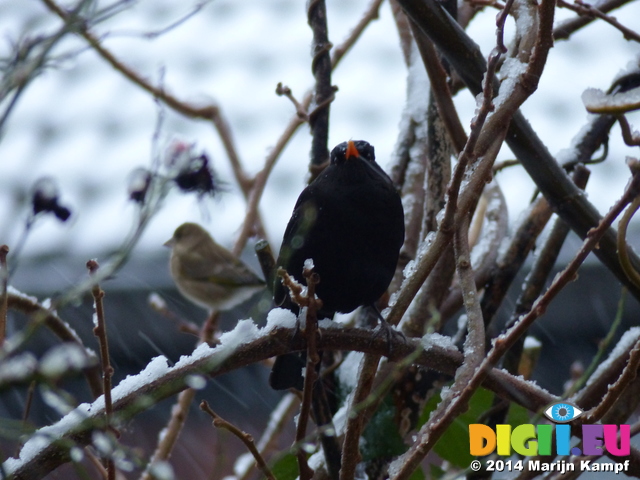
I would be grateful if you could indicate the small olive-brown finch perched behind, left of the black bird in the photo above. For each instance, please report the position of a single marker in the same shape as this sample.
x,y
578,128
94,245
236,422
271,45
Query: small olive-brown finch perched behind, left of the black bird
x,y
208,274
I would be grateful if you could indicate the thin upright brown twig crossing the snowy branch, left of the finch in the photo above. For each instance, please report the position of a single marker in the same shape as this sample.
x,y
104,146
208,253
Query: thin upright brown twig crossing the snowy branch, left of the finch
x,y
100,331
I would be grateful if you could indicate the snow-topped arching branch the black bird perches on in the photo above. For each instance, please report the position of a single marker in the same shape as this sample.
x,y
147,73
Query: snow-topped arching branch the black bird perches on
x,y
217,362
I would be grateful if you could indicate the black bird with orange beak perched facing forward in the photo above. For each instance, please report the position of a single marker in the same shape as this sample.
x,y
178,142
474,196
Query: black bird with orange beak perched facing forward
x,y
350,221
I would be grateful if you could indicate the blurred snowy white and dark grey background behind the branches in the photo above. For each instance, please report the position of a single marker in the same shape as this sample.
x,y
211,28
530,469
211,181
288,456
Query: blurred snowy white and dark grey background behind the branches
x,y
87,126
